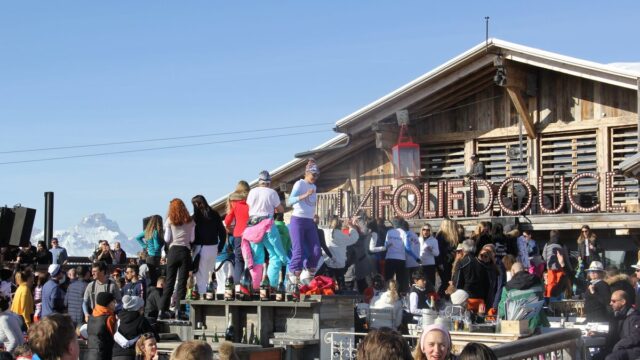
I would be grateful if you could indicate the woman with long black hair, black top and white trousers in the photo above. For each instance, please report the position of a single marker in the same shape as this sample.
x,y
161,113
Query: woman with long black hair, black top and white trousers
x,y
210,236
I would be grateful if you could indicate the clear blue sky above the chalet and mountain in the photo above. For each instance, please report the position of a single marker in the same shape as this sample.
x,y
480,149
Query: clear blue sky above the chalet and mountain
x,y
81,72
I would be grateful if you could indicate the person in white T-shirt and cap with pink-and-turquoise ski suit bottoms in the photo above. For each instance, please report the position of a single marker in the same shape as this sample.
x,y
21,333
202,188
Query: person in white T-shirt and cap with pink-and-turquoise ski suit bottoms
x,y
263,202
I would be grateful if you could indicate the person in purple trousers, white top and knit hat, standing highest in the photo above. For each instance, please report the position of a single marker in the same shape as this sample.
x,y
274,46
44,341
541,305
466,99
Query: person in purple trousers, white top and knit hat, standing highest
x,y
304,235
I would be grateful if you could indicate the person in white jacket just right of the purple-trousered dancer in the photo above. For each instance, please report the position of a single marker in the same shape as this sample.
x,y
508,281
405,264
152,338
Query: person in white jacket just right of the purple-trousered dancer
x,y
337,242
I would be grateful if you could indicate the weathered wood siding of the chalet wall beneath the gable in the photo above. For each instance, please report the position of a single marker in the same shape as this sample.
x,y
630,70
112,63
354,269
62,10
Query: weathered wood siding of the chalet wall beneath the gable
x,y
486,122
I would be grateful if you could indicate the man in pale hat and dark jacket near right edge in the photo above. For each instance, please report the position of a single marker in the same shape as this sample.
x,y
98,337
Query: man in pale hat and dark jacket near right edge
x,y
598,294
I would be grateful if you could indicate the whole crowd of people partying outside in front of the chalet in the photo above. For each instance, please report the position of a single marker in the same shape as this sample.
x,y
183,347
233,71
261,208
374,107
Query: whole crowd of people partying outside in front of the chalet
x,y
390,266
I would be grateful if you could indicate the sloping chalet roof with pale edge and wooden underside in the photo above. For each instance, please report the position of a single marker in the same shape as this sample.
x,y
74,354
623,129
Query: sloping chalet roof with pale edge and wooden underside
x,y
444,86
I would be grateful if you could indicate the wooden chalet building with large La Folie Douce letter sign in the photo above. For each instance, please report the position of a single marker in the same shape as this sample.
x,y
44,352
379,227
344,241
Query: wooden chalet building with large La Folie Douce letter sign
x,y
528,114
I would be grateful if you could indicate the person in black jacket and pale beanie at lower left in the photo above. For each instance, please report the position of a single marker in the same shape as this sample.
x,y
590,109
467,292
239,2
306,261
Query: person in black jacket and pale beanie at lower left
x,y
131,324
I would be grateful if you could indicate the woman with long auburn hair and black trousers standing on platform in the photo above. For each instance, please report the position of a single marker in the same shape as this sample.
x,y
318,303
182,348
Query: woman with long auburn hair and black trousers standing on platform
x,y
179,234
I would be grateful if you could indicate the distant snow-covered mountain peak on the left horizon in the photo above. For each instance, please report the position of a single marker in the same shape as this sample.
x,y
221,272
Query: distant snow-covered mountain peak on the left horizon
x,y
81,239
